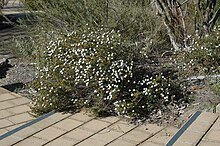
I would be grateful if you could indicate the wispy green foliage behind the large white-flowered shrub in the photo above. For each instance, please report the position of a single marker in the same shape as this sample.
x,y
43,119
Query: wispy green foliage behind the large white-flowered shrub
x,y
136,21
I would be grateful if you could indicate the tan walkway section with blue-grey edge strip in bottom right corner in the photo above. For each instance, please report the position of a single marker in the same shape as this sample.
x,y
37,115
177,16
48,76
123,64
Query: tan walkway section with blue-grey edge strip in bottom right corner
x,y
202,129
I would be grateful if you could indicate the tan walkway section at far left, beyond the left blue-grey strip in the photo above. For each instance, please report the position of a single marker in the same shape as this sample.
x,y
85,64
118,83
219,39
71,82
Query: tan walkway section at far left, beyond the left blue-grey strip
x,y
13,111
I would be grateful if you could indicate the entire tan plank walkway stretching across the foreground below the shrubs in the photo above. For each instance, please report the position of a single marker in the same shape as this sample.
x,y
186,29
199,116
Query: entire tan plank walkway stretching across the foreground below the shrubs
x,y
18,128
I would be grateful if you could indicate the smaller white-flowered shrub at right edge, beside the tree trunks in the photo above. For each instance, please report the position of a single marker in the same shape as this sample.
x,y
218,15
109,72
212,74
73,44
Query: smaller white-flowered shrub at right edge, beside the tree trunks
x,y
201,56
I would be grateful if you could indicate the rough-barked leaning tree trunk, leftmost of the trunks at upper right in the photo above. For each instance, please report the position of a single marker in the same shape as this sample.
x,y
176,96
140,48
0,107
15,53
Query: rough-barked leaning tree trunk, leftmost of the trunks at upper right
x,y
174,21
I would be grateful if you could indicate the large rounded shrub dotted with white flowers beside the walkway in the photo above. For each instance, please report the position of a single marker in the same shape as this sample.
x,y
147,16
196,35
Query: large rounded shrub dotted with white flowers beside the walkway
x,y
95,69
